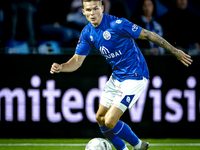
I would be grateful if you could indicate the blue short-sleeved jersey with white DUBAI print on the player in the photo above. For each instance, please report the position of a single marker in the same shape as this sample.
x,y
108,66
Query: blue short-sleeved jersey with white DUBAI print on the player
x,y
114,39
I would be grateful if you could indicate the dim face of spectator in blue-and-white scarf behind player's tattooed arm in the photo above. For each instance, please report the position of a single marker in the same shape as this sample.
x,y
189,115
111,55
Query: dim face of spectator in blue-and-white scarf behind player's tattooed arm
x,y
147,8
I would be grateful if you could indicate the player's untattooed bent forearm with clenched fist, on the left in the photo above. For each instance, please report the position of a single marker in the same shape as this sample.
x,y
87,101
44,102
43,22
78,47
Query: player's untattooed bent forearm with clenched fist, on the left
x,y
71,65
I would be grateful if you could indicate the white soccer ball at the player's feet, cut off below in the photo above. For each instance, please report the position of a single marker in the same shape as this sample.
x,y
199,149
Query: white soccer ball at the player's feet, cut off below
x,y
98,144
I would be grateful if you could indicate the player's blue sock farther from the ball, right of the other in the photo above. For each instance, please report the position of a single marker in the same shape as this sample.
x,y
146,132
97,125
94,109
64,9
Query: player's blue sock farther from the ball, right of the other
x,y
122,130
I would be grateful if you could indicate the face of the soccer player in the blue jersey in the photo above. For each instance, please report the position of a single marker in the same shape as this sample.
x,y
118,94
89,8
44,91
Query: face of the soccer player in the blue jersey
x,y
93,11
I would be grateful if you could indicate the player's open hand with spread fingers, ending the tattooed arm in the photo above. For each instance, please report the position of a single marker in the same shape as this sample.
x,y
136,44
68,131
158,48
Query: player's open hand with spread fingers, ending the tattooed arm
x,y
184,58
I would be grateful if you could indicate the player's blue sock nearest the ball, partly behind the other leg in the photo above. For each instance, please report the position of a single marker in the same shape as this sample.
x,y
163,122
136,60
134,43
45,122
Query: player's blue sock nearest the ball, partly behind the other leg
x,y
117,142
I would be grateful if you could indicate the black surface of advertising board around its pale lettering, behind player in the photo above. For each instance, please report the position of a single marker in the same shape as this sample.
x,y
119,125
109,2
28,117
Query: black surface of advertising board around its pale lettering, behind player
x,y
17,70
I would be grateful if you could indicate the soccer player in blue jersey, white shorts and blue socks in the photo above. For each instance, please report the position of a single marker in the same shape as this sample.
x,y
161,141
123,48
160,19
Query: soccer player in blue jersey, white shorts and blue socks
x,y
114,38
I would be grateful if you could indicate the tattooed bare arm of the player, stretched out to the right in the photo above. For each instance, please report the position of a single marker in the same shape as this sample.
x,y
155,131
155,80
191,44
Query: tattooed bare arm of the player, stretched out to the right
x,y
158,40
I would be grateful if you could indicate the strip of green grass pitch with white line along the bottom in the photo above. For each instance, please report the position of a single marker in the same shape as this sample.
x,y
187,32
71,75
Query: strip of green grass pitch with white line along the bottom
x,y
79,144
